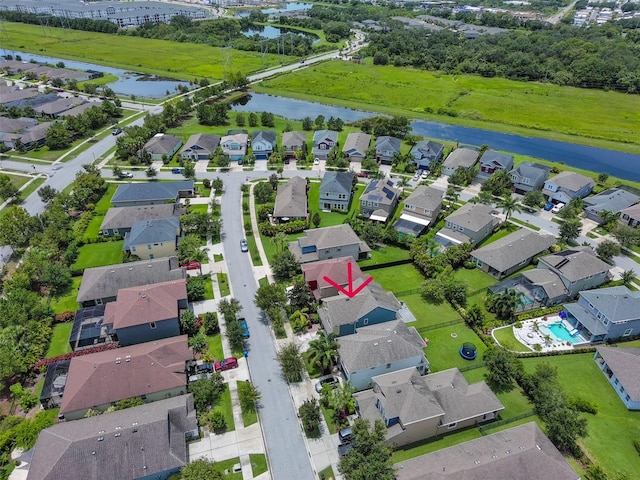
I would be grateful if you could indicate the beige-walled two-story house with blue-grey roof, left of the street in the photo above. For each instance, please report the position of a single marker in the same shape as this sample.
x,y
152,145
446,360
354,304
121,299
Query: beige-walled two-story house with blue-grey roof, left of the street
x,y
153,238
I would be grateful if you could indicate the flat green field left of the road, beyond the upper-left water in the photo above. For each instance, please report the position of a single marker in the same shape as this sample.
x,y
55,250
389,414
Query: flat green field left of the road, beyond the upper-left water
x,y
169,59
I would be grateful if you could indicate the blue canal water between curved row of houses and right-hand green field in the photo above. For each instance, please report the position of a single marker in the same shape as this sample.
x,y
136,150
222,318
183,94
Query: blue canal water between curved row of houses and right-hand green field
x,y
619,164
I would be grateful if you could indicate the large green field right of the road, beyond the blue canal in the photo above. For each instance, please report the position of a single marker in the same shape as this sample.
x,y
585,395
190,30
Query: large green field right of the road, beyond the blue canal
x,y
592,117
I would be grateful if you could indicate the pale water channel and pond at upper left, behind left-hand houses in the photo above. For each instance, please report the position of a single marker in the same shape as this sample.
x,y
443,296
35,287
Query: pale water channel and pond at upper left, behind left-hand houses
x,y
128,83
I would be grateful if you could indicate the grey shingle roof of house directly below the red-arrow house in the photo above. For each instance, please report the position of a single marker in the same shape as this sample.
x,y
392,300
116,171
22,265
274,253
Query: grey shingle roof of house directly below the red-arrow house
x,y
379,344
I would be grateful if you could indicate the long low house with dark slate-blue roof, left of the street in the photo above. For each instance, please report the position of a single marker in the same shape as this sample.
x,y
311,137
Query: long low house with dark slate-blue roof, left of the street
x,y
151,193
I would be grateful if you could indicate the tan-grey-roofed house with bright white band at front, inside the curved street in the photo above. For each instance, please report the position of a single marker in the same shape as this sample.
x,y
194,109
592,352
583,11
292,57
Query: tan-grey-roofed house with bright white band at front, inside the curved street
x,y
420,211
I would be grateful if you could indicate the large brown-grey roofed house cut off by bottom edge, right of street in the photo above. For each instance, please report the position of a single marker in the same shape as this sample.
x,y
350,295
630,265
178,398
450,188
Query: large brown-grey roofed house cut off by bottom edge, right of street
x,y
518,453
